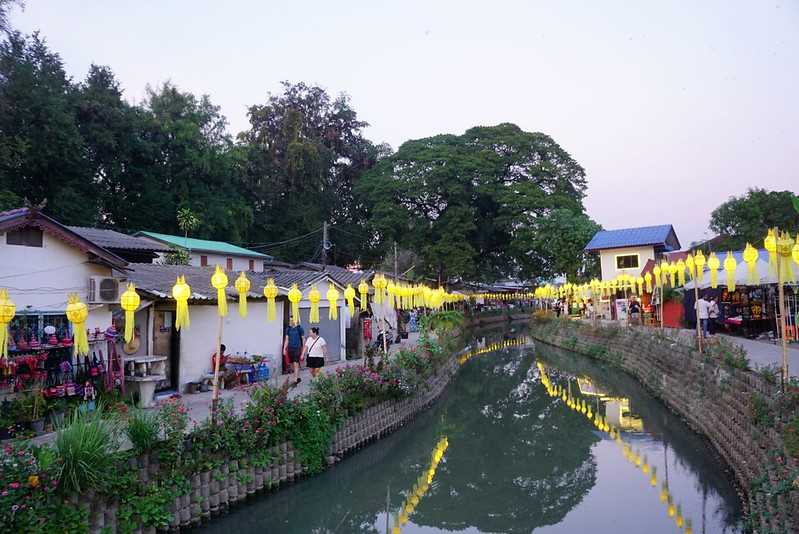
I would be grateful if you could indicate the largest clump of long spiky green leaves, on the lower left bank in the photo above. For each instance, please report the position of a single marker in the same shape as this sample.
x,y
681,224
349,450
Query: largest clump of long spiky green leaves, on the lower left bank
x,y
87,451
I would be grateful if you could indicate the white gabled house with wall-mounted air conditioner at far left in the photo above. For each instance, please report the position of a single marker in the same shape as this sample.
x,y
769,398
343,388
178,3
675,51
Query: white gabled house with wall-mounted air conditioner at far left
x,y
43,262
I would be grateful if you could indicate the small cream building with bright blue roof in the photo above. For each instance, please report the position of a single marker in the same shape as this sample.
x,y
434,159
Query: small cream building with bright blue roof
x,y
627,250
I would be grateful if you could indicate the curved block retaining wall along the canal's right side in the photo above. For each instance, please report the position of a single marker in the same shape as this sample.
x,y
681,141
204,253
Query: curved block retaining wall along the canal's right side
x,y
738,410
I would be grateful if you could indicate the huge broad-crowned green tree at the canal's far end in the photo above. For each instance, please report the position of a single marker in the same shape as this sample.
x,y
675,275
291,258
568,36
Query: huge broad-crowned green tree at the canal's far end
x,y
495,201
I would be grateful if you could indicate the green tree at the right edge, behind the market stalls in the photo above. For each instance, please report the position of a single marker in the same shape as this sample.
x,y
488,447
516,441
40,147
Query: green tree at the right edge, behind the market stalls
x,y
747,218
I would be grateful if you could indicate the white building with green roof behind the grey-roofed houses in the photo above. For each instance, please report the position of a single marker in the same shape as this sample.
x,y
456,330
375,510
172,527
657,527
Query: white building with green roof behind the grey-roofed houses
x,y
204,252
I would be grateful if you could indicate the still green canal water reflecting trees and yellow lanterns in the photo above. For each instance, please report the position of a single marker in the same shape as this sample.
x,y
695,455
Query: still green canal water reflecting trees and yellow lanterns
x,y
501,451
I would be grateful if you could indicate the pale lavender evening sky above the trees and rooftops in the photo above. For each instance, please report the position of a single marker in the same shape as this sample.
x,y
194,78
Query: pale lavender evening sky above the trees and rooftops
x,y
671,107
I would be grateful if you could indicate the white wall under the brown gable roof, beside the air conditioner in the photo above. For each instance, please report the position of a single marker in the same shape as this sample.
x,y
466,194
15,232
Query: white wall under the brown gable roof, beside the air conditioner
x,y
39,279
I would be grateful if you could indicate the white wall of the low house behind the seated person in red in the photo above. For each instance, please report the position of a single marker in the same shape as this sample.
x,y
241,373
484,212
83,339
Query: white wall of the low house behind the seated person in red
x,y
254,335
